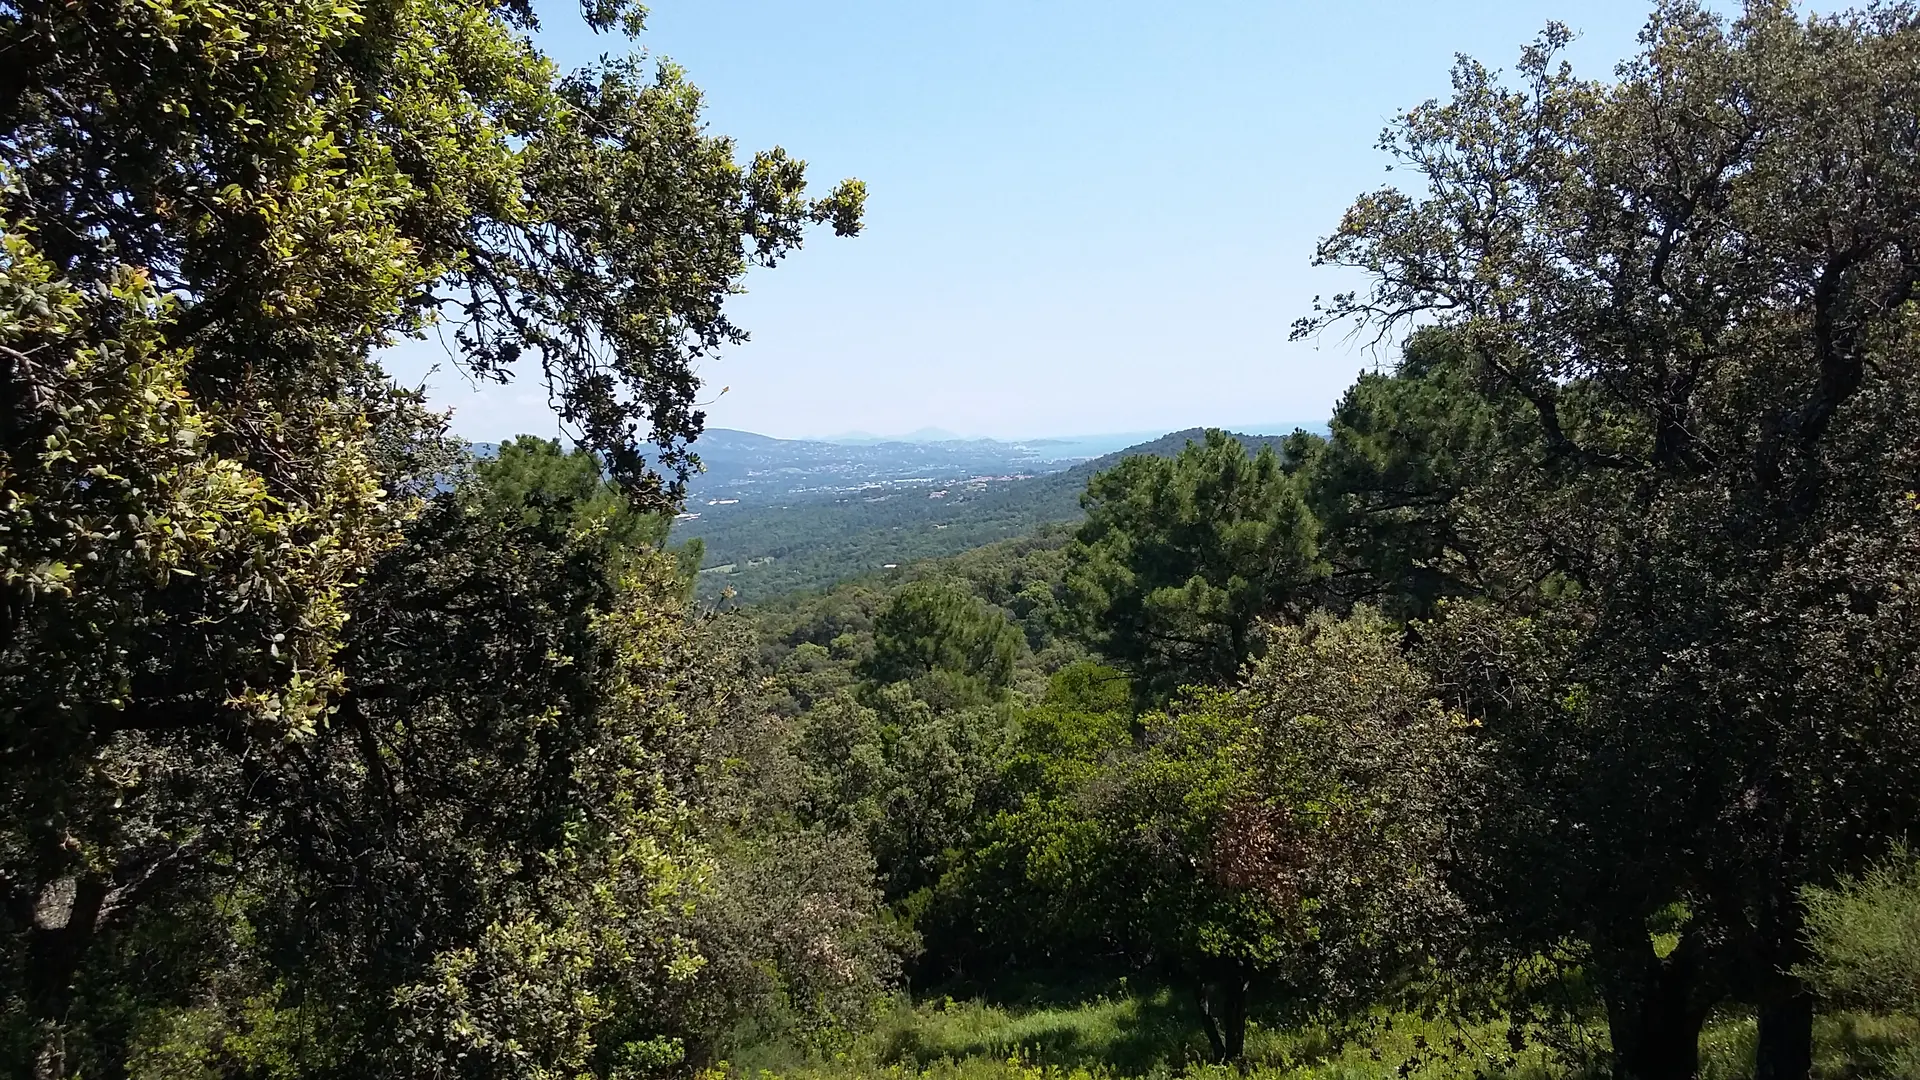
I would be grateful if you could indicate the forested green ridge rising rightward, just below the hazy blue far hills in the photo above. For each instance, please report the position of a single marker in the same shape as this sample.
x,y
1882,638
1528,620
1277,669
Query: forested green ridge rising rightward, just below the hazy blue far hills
x,y
815,539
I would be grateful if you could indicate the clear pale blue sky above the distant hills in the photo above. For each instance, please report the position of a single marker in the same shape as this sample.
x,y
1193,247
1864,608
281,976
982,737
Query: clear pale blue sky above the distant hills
x,y
1082,216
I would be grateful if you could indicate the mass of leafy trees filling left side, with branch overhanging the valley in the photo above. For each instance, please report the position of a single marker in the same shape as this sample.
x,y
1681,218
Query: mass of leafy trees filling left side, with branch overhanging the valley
x,y
214,216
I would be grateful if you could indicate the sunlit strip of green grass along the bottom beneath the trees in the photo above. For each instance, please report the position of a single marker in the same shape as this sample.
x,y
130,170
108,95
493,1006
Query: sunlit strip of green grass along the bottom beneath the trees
x,y
1155,1037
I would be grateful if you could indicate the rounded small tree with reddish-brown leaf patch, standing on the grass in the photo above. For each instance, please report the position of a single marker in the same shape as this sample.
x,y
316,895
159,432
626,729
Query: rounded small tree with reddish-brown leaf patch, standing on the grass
x,y
1285,839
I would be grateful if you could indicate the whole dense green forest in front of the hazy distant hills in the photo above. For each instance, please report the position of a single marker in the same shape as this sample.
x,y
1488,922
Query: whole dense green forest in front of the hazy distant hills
x,y
1550,716
